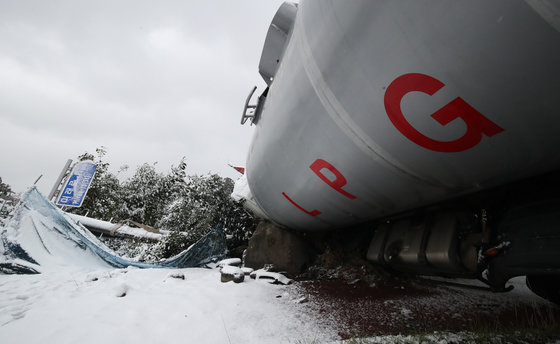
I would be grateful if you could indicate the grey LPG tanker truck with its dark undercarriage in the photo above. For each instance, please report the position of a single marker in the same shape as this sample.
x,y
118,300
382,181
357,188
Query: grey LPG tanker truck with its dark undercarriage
x,y
437,123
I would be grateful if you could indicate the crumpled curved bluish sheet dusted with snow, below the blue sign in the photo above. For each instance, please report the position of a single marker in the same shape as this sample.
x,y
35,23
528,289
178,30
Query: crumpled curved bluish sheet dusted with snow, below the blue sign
x,y
48,239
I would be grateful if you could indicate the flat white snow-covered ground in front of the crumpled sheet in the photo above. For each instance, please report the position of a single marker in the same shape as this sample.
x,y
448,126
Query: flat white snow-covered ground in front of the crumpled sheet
x,y
149,306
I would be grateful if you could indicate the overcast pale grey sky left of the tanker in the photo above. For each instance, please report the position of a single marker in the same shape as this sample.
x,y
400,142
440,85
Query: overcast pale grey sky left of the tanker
x,y
152,81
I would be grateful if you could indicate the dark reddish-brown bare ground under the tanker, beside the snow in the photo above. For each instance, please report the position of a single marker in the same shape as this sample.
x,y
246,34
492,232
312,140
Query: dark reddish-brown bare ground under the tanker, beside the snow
x,y
406,306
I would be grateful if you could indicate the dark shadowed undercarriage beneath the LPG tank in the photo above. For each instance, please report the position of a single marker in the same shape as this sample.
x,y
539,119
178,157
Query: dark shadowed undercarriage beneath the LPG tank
x,y
494,235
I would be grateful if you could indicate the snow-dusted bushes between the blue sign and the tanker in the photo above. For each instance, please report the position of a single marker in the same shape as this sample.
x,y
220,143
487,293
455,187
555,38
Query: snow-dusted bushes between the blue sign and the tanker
x,y
173,201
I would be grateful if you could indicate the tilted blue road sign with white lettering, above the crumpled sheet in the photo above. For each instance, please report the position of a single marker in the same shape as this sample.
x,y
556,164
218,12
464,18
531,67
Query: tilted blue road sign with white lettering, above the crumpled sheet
x,y
78,183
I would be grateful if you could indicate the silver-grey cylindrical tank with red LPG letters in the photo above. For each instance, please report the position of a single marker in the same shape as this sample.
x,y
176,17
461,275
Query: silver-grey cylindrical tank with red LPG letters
x,y
377,107
